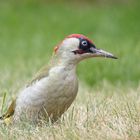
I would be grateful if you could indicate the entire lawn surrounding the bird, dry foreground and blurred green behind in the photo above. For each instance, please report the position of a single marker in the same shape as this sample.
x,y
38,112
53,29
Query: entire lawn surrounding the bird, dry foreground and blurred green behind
x,y
107,106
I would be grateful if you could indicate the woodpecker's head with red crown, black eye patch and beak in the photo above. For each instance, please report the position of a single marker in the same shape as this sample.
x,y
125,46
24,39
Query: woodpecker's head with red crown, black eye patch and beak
x,y
77,47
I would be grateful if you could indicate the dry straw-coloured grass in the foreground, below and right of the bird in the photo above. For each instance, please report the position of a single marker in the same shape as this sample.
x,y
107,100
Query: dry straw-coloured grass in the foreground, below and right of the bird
x,y
107,114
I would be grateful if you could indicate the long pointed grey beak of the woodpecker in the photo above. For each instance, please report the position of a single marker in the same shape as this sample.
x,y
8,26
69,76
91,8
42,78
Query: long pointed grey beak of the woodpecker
x,y
101,53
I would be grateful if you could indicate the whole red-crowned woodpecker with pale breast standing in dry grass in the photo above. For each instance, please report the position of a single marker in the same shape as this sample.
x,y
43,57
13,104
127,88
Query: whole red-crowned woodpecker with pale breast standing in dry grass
x,y
53,89
